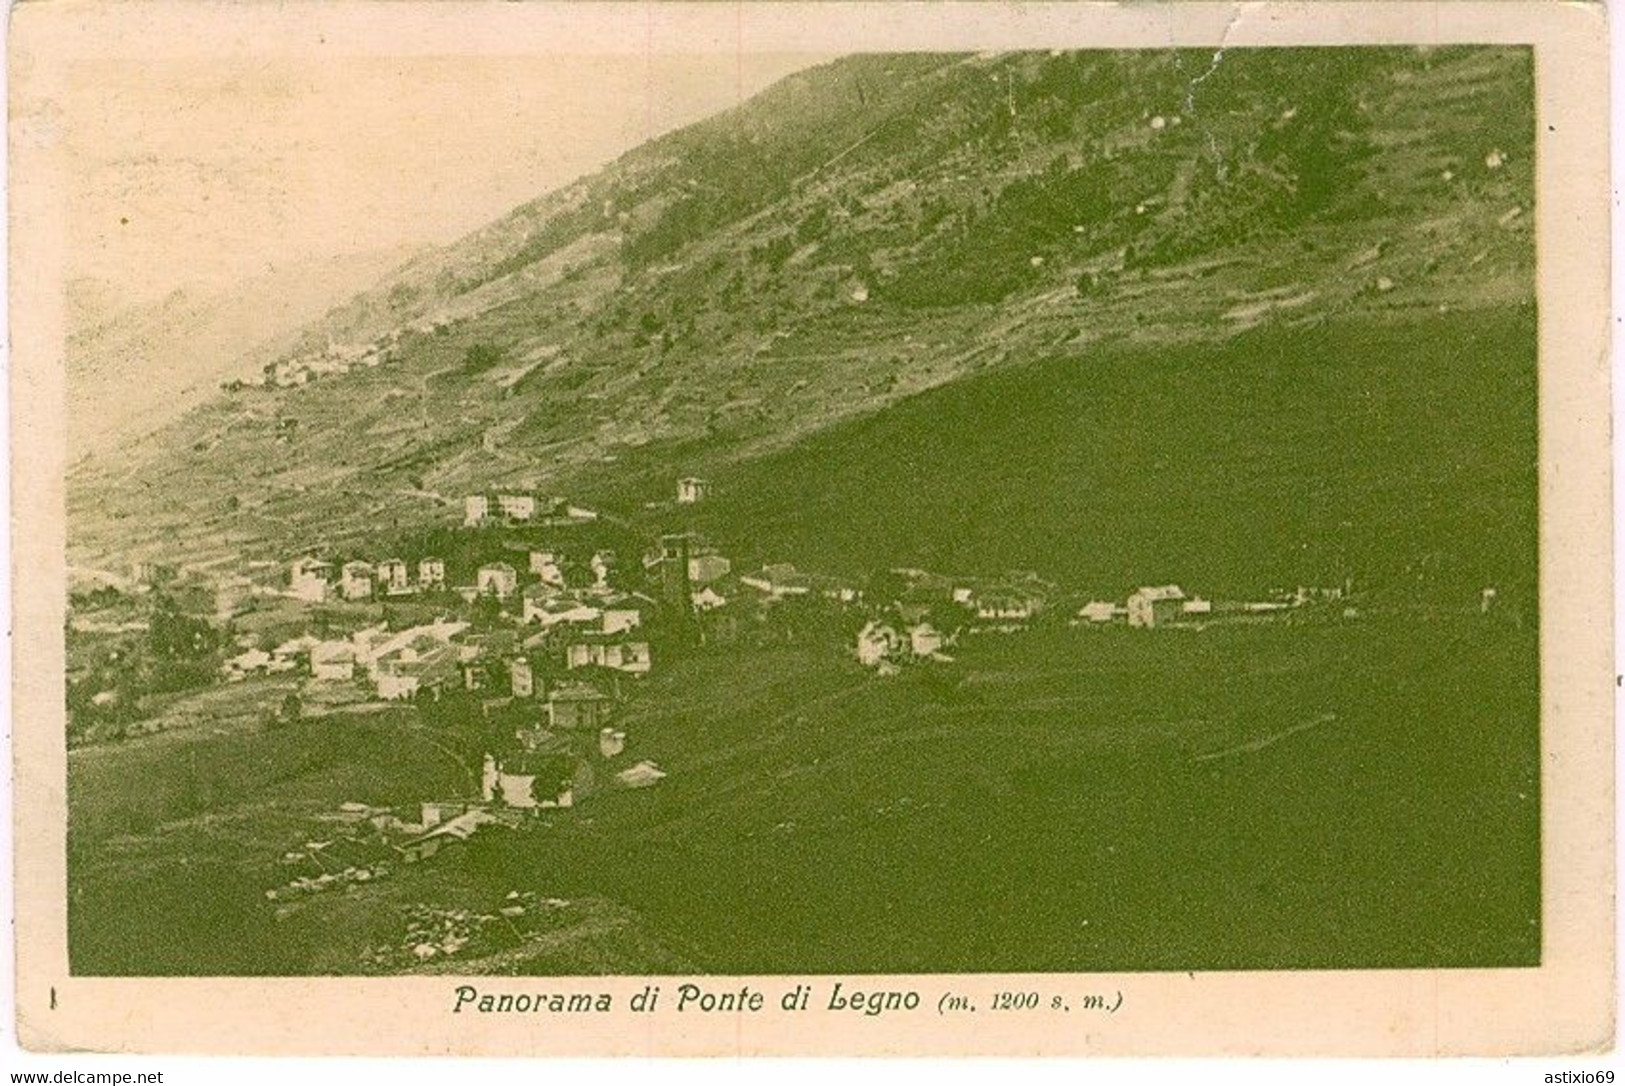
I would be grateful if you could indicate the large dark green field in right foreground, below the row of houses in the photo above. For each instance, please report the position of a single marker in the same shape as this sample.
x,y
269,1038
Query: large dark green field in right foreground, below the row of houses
x,y
1250,797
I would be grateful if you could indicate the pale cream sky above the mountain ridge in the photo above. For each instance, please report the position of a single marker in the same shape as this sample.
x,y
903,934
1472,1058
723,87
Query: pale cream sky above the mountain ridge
x,y
251,167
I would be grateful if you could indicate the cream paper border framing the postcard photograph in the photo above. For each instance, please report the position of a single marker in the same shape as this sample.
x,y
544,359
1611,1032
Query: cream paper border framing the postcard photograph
x,y
1566,1006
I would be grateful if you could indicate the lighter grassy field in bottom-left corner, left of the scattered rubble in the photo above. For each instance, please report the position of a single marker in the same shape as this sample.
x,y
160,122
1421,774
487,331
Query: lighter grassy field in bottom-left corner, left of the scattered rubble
x,y
175,838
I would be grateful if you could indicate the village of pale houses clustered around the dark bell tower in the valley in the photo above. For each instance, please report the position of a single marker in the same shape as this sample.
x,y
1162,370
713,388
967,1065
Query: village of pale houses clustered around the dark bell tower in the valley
x,y
558,643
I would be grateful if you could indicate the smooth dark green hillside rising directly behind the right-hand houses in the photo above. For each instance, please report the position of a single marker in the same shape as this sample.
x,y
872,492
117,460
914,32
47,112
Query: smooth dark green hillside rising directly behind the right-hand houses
x,y
1400,454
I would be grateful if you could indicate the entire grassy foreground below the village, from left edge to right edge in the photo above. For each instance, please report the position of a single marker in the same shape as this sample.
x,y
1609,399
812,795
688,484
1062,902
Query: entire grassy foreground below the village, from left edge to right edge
x,y
1346,796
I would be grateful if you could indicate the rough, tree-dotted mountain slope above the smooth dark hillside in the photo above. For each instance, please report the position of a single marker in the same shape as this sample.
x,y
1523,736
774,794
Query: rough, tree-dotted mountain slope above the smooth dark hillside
x,y
856,237
